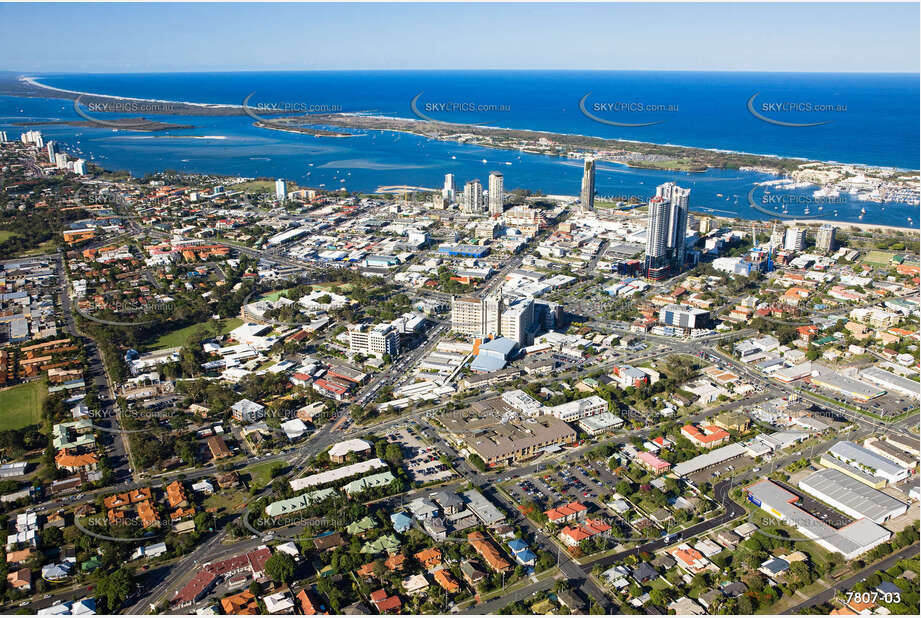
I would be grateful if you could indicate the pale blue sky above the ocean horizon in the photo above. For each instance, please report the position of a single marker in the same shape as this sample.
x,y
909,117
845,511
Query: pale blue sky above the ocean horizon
x,y
101,38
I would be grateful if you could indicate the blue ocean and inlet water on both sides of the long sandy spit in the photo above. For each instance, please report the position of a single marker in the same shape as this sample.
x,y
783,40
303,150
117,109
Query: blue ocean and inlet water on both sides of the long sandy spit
x,y
869,119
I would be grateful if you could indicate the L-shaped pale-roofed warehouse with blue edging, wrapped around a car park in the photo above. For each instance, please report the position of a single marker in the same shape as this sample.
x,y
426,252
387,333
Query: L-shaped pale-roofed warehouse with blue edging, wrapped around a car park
x,y
850,541
